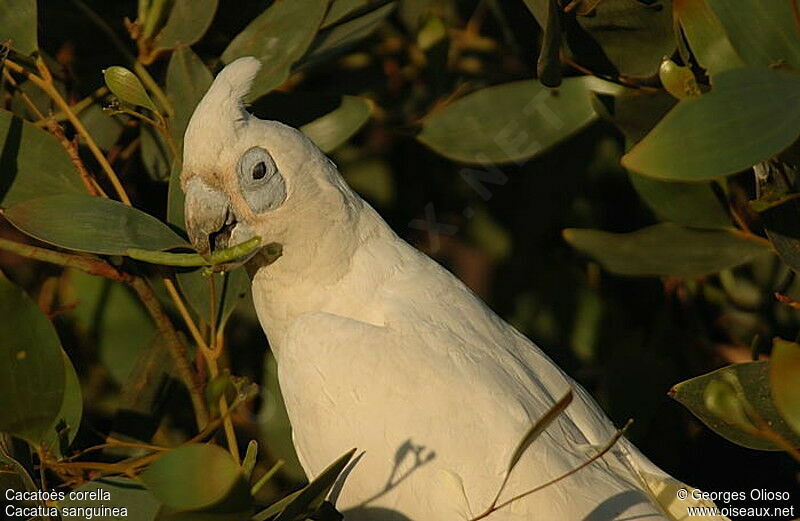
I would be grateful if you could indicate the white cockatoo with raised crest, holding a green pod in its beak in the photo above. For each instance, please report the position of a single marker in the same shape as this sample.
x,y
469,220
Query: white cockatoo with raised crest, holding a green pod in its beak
x,y
380,348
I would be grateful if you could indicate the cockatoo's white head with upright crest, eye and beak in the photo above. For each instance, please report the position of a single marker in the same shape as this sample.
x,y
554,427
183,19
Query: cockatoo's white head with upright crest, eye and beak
x,y
243,176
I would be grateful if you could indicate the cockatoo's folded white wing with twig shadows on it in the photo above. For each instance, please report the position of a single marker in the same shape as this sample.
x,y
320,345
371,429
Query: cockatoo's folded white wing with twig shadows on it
x,y
439,404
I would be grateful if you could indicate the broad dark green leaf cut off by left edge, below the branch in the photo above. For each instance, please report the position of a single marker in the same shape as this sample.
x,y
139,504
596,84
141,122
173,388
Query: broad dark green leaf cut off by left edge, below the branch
x,y
32,376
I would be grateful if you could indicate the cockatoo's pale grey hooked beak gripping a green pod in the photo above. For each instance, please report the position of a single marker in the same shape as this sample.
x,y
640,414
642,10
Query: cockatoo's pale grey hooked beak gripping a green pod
x,y
209,217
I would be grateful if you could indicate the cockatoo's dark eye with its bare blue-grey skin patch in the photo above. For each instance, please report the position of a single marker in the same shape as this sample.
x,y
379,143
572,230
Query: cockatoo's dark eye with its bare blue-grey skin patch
x,y
260,182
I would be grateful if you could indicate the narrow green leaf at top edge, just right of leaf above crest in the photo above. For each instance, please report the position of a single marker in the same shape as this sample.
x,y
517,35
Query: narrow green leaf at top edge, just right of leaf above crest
x,y
340,36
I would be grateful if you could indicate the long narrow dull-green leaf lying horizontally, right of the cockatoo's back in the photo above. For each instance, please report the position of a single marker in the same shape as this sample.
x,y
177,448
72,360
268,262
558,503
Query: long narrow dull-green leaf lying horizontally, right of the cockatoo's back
x,y
666,249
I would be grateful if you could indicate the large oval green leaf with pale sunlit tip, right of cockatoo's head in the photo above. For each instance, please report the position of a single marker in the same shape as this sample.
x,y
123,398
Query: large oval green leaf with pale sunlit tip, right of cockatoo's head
x,y
511,122
